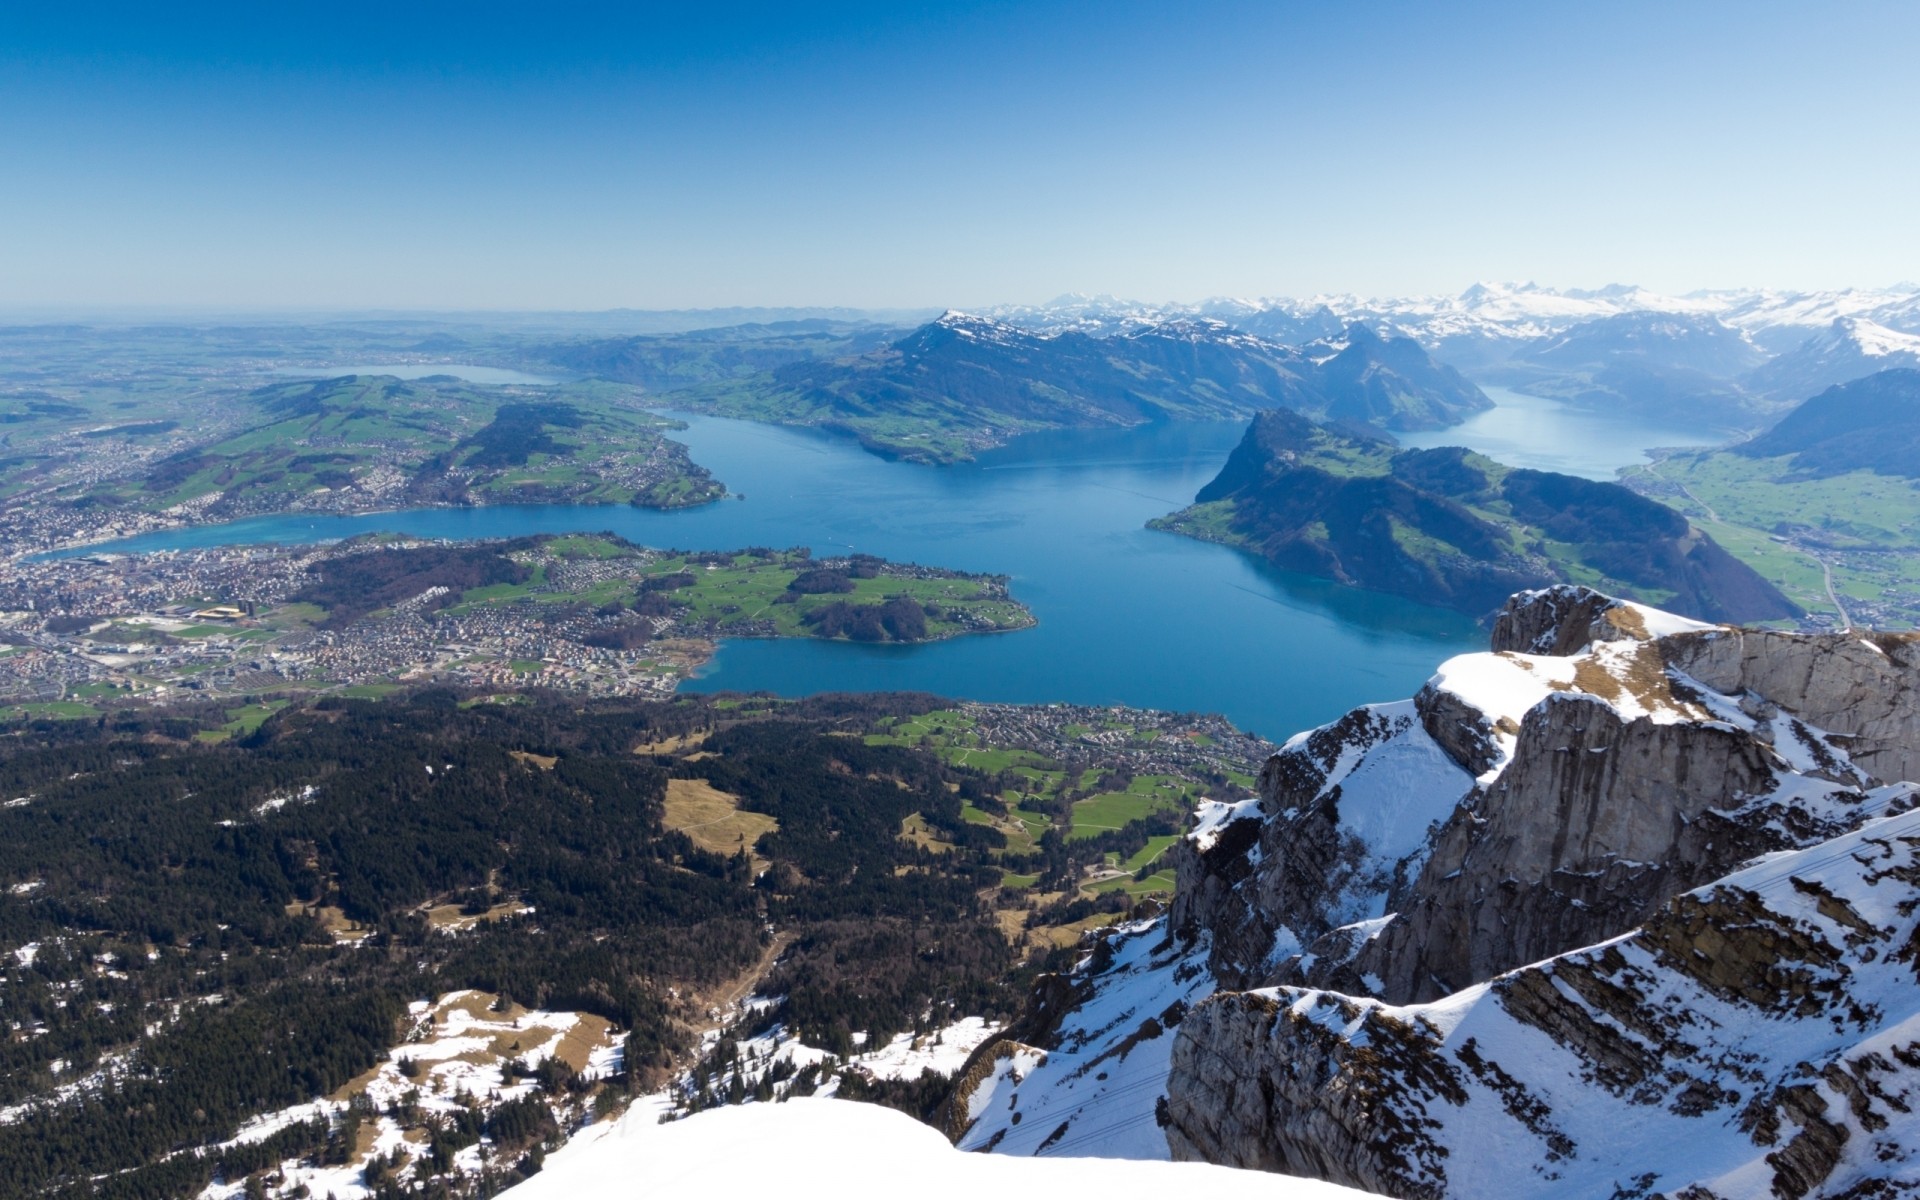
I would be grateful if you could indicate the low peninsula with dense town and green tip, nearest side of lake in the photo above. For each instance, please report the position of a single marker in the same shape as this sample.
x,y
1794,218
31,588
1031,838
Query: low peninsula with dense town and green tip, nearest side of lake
x,y
587,613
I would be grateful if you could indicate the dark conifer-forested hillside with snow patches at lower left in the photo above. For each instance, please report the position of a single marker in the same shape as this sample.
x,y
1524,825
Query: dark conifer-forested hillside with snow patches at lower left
x,y
208,932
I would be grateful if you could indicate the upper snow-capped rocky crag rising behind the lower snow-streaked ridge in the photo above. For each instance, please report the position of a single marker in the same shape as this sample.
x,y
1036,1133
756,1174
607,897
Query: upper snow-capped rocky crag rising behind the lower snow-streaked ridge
x,y
1589,786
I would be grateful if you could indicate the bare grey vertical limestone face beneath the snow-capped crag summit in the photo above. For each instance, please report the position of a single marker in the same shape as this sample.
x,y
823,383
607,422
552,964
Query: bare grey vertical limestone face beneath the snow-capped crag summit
x,y
1591,828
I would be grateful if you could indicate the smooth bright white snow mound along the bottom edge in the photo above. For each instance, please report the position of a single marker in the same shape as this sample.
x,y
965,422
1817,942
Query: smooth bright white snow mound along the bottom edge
x,y
852,1151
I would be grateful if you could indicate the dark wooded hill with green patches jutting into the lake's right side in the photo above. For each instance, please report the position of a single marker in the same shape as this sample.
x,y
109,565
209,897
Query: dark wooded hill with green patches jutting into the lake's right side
x,y
1456,529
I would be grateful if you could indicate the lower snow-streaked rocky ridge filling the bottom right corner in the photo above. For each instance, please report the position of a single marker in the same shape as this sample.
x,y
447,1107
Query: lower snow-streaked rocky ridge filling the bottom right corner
x,y
1756,1038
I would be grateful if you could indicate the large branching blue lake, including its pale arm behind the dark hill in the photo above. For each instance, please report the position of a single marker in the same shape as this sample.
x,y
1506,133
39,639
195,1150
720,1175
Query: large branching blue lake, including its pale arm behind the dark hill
x,y
1126,615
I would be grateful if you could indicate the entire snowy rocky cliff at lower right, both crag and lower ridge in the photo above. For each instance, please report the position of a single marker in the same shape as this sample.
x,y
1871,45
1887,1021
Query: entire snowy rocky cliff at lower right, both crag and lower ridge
x,y
1625,905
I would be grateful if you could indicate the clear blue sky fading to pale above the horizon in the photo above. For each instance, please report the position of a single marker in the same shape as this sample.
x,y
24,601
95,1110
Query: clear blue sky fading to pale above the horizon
x,y
546,156
